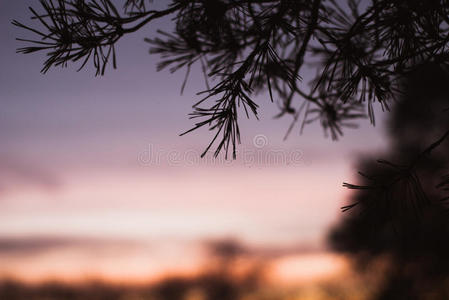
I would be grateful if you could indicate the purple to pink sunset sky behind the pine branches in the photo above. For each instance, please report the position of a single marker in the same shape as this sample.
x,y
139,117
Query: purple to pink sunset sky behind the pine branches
x,y
96,181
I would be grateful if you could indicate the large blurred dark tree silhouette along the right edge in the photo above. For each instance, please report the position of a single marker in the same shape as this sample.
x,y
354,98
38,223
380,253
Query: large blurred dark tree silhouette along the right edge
x,y
401,212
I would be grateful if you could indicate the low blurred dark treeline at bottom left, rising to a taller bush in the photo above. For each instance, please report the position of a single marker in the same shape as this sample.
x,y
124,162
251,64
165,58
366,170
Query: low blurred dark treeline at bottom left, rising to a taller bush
x,y
217,281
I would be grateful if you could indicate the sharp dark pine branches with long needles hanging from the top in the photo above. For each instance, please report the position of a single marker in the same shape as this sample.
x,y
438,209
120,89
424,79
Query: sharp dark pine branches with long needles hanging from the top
x,y
360,50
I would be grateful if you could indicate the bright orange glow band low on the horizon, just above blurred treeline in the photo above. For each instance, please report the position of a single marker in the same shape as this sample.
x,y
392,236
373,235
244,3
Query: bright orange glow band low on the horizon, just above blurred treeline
x,y
139,269
